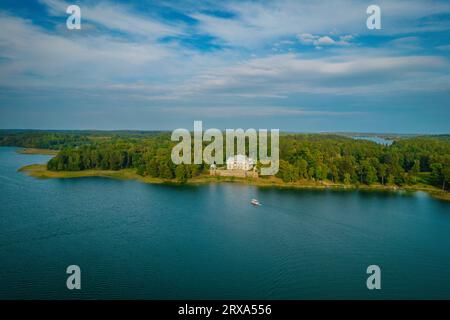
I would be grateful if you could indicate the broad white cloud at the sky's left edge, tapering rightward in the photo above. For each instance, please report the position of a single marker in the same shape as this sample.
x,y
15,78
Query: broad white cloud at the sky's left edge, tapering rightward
x,y
36,56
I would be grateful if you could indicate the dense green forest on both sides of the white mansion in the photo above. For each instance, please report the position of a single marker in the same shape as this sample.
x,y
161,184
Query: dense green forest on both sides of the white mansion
x,y
315,157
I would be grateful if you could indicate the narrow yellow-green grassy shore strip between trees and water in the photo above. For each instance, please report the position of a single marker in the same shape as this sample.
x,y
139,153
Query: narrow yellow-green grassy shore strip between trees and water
x,y
40,171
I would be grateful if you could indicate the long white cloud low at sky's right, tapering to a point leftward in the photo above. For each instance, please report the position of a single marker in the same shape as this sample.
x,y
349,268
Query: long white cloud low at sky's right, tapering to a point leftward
x,y
287,74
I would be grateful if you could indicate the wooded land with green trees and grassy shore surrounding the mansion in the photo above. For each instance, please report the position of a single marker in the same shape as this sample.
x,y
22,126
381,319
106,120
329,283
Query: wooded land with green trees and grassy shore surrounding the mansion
x,y
320,161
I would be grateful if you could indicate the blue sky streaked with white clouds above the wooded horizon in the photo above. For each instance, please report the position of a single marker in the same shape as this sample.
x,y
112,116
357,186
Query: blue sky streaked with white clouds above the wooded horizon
x,y
293,65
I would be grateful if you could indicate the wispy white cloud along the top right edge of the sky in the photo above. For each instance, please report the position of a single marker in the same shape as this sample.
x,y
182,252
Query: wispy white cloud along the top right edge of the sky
x,y
256,23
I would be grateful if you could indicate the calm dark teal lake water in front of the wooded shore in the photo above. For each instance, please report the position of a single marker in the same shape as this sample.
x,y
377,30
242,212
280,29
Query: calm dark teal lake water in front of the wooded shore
x,y
135,240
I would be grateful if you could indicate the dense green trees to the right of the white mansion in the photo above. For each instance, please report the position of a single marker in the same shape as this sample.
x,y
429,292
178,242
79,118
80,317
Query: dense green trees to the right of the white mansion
x,y
348,161
